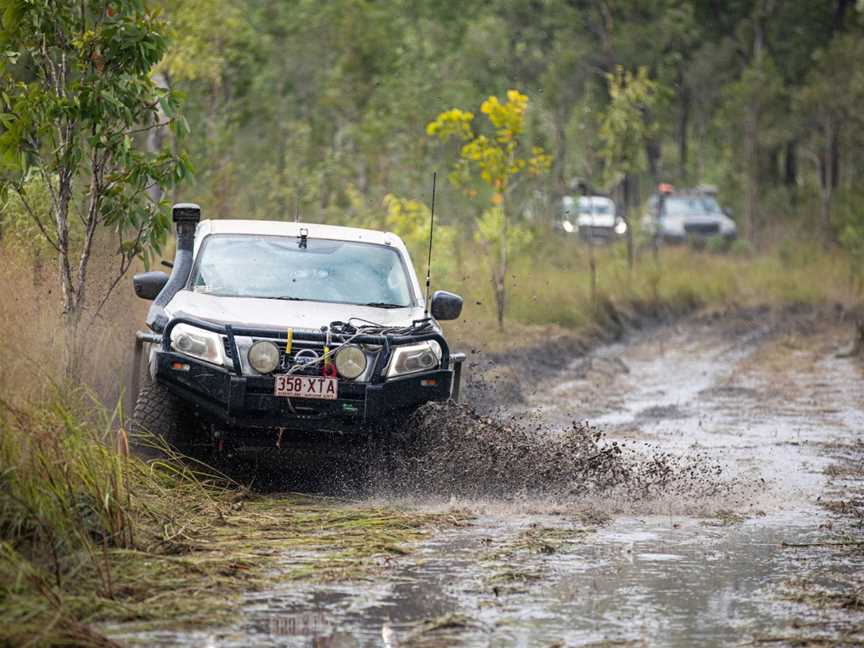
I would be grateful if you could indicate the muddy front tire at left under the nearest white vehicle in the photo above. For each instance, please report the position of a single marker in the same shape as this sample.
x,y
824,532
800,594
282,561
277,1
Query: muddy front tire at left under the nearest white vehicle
x,y
160,414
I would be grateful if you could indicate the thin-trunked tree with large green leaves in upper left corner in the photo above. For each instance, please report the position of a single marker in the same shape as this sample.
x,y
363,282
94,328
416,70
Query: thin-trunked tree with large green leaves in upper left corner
x,y
77,104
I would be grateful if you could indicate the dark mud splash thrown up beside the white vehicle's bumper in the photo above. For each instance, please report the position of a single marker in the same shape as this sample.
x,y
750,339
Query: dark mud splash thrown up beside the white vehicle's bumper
x,y
449,450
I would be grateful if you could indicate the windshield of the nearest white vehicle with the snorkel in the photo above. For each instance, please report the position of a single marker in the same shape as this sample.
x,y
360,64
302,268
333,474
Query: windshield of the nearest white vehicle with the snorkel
x,y
277,267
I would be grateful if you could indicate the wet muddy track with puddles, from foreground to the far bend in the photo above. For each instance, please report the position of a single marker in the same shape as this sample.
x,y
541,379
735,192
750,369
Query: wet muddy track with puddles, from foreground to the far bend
x,y
747,418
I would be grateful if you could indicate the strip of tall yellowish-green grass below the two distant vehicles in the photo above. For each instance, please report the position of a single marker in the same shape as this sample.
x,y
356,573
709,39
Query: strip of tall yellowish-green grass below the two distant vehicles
x,y
549,289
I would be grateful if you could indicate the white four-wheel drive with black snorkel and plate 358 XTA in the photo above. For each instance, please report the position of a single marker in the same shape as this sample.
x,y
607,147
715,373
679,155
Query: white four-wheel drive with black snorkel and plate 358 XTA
x,y
268,329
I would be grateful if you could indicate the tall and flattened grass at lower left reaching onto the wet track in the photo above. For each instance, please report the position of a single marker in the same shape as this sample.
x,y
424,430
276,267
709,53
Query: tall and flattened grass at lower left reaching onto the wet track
x,y
90,535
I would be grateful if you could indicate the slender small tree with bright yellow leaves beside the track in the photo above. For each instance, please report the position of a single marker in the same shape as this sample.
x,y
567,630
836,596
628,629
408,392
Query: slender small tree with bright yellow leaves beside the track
x,y
499,161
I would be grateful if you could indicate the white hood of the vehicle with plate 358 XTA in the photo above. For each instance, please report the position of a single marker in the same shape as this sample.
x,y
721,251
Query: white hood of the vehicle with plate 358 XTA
x,y
253,312
